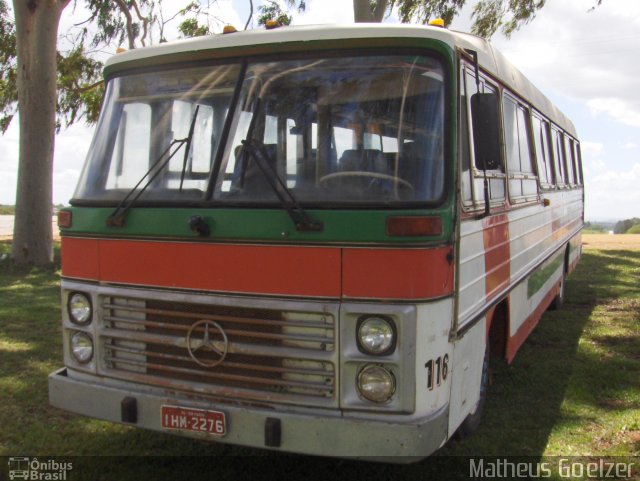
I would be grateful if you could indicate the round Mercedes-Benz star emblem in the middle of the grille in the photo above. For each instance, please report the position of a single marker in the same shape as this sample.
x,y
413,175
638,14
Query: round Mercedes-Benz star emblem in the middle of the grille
x,y
207,337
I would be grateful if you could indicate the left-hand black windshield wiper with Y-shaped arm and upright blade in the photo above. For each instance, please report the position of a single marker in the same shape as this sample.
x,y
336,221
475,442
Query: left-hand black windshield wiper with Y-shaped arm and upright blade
x,y
117,217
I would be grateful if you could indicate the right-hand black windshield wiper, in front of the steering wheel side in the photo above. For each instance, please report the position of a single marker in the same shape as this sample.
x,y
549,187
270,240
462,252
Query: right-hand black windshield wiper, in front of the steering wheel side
x,y
300,218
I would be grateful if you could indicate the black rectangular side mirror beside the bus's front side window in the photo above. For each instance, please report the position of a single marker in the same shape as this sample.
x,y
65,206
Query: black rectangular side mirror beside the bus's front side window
x,y
486,130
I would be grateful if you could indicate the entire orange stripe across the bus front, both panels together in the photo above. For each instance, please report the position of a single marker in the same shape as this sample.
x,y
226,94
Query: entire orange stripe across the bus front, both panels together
x,y
273,270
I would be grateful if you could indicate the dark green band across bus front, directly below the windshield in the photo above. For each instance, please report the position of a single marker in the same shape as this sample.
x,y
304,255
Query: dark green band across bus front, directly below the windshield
x,y
263,225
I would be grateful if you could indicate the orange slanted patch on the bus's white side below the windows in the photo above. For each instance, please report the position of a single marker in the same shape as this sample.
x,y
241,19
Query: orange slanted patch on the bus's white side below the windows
x,y
496,254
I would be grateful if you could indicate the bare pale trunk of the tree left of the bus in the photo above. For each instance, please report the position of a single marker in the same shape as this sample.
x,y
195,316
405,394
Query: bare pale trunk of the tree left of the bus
x,y
36,37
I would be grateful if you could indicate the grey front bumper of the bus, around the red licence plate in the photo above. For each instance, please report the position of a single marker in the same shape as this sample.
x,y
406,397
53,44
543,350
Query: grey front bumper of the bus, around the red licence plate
x,y
315,434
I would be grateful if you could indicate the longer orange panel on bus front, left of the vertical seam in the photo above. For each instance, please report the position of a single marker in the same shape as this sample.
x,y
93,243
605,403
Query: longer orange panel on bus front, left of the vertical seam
x,y
296,271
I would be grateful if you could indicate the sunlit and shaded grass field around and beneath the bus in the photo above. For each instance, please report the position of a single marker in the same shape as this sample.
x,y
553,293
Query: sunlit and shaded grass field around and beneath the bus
x,y
573,390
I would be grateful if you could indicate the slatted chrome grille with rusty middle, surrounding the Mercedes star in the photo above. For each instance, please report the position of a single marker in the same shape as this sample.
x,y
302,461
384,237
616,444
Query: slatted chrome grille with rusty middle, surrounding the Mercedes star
x,y
272,355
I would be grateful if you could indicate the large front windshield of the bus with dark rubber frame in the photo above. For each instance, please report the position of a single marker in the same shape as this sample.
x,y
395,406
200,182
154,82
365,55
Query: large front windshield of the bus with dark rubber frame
x,y
335,131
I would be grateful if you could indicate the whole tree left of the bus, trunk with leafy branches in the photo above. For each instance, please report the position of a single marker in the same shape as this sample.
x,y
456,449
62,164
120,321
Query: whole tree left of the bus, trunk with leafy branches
x,y
34,72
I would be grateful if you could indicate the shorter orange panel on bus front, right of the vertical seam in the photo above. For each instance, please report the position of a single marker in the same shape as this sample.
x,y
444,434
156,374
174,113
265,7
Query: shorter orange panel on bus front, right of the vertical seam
x,y
397,273
